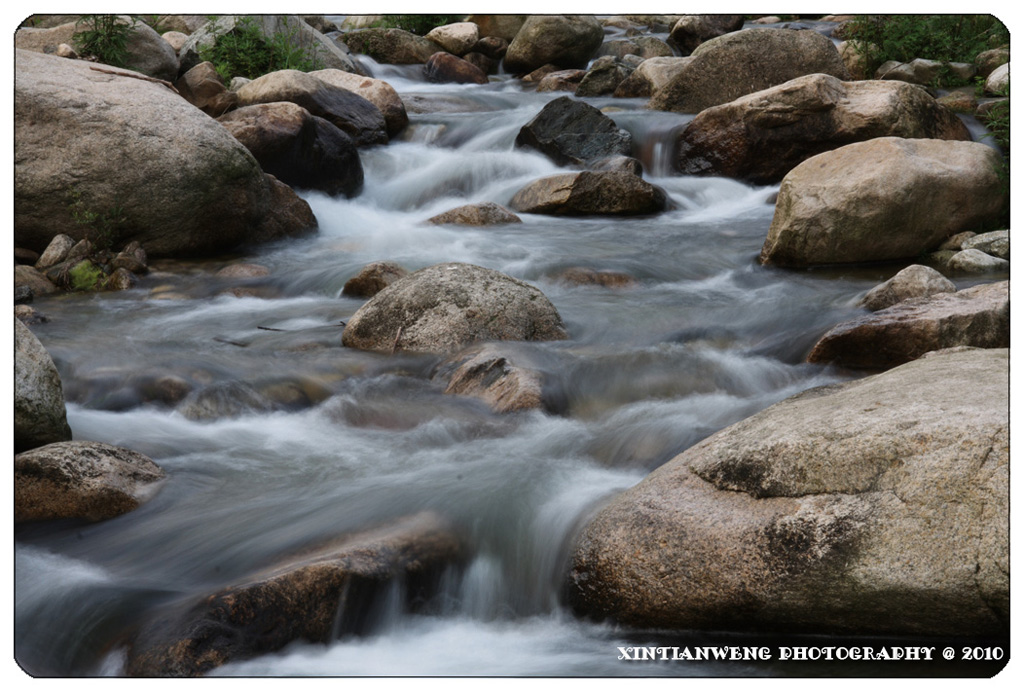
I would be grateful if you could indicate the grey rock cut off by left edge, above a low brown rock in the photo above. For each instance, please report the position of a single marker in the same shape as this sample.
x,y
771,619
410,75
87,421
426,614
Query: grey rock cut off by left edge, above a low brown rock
x,y
40,417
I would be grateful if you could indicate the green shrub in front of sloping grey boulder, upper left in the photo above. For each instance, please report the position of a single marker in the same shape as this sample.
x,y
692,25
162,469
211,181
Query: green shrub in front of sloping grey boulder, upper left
x,y
244,52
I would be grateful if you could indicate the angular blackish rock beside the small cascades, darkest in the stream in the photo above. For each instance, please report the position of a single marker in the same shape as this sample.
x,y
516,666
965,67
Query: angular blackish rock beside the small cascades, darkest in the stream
x,y
570,132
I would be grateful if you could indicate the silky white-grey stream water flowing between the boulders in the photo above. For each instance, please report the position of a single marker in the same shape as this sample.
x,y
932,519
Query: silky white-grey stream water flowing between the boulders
x,y
339,440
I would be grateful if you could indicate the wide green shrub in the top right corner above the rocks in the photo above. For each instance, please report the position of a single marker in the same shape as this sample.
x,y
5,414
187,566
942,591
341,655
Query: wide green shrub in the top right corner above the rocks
x,y
950,38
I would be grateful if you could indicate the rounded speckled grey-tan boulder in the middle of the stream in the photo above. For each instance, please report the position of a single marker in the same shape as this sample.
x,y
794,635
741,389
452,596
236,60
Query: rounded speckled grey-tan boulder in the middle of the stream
x,y
446,307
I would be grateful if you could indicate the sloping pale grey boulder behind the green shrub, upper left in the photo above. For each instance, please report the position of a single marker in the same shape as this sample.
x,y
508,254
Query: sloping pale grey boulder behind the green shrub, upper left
x,y
298,35
